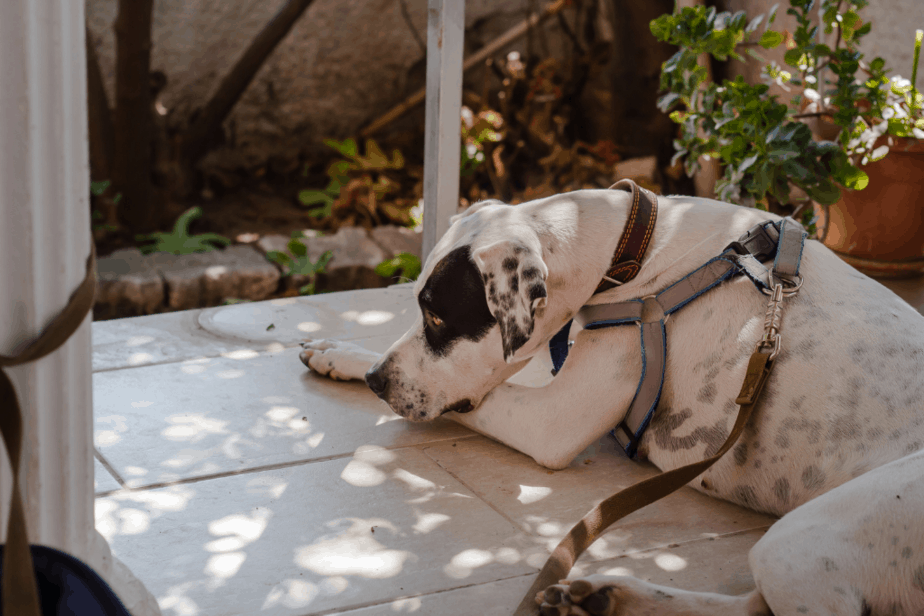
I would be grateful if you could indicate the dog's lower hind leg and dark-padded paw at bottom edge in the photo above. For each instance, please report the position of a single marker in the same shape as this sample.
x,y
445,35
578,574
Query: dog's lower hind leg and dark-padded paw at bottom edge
x,y
604,595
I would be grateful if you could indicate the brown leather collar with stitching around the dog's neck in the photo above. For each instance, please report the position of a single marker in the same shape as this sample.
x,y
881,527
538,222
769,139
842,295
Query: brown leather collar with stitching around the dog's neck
x,y
627,259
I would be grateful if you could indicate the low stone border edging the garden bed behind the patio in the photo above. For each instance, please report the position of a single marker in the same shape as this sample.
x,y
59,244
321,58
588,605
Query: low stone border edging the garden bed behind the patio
x,y
132,284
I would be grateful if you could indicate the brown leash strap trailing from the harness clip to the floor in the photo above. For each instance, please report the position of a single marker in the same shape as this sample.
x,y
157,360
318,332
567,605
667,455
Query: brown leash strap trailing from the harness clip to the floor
x,y
643,493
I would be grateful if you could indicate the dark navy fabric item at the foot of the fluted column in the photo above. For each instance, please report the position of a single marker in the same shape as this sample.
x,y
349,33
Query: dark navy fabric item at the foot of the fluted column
x,y
68,587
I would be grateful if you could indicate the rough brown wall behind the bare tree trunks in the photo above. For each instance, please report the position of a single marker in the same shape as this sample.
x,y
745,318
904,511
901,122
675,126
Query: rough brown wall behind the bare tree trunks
x,y
343,63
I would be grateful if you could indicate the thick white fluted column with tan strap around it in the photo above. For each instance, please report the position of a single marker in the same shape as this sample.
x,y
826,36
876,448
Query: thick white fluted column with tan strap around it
x,y
44,242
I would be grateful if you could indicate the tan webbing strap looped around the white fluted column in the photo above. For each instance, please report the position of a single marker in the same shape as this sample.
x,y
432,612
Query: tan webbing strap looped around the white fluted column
x,y
20,593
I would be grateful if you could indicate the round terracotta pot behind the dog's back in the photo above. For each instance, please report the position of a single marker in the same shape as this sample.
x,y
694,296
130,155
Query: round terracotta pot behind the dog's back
x,y
880,230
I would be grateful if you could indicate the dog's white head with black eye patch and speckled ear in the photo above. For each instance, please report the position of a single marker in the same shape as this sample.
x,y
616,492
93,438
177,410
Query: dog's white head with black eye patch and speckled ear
x,y
480,294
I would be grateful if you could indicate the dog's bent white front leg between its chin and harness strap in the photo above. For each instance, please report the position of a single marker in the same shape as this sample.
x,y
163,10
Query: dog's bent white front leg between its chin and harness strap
x,y
590,395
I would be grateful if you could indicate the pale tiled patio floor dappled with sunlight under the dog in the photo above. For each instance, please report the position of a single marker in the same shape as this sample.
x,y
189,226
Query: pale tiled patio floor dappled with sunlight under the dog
x,y
232,481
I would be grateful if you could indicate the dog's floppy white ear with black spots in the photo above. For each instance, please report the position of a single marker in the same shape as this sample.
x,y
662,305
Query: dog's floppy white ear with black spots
x,y
514,280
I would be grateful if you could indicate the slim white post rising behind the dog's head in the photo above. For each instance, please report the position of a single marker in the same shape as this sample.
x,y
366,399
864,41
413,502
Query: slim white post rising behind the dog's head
x,y
445,33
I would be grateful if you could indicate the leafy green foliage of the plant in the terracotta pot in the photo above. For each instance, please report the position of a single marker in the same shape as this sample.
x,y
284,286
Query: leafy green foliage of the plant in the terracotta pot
x,y
769,155
